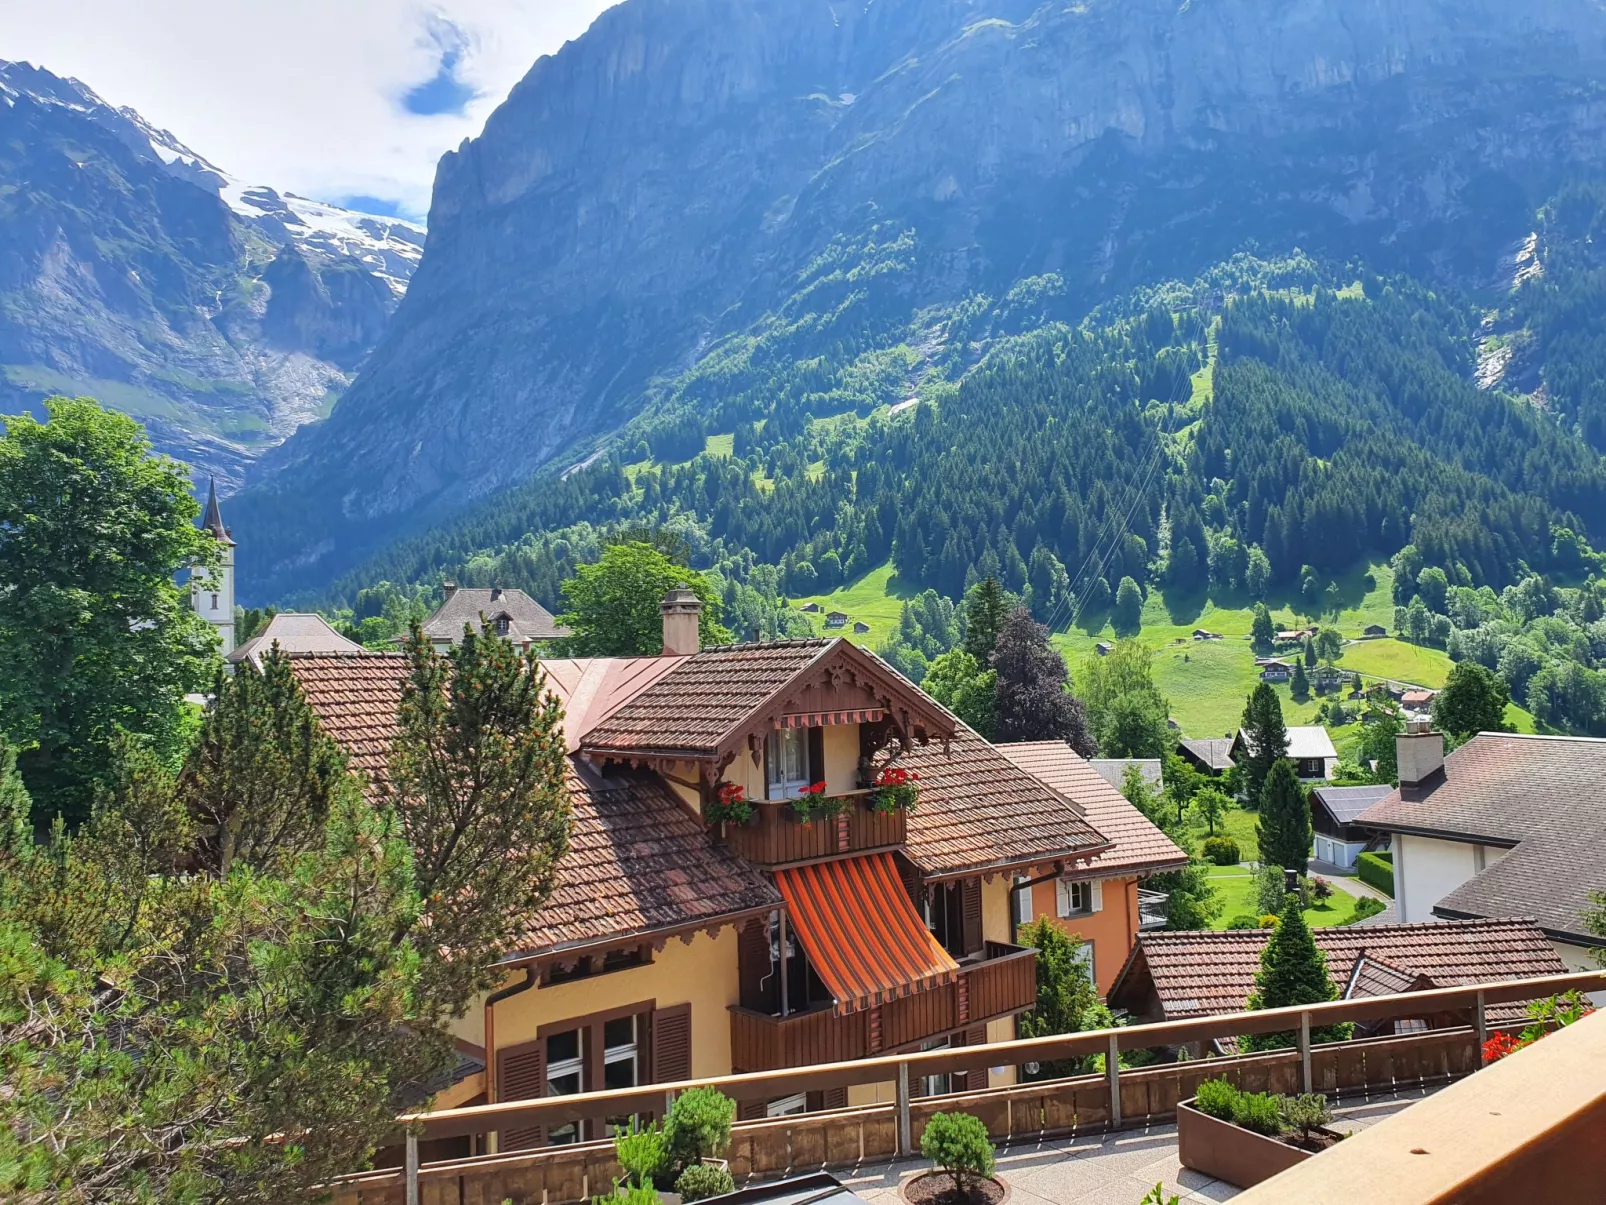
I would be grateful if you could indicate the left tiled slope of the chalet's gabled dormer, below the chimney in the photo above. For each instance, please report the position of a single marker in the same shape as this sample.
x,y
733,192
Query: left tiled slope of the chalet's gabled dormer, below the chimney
x,y
706,696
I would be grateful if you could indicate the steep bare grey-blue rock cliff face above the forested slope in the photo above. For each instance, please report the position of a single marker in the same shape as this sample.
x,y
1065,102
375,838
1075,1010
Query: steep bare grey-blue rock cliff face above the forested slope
x,y
666,179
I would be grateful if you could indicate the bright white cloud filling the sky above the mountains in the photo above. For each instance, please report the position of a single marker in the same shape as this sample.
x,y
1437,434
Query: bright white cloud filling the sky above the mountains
x,y
304,96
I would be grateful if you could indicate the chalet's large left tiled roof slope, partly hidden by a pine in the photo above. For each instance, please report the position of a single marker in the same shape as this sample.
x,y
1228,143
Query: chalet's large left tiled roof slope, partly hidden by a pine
x,y
638,862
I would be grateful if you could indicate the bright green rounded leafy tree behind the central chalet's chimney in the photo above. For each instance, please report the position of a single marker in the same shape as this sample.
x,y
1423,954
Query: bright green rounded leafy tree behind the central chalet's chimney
x,y
614,603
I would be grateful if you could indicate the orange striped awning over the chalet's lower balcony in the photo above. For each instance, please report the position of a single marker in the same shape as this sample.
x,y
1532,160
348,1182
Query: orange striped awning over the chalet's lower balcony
x,y
863,936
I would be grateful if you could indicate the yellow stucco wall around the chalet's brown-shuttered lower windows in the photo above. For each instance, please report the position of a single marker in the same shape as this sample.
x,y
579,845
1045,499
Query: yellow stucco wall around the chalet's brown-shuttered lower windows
x,y
703,974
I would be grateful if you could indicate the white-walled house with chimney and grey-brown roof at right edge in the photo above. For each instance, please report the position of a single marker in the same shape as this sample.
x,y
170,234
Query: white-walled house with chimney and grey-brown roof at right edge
x,y
1504,827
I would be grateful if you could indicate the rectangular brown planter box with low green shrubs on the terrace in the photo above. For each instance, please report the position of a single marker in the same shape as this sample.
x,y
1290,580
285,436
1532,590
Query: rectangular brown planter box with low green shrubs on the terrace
x,y
1245,1138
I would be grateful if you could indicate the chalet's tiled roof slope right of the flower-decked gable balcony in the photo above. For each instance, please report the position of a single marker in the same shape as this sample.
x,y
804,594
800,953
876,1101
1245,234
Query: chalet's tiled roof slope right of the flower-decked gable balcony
x,y
979,811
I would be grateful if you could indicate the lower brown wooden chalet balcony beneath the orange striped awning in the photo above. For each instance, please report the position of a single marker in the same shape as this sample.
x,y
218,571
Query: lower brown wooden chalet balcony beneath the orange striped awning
x,y
1001,982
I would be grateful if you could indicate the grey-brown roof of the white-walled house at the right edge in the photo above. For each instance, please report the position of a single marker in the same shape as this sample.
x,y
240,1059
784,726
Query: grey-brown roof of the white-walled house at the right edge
x,y
1539,794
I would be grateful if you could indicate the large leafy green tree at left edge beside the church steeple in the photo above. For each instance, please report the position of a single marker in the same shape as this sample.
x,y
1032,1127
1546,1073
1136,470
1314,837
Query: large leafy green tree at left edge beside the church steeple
x,y
97,635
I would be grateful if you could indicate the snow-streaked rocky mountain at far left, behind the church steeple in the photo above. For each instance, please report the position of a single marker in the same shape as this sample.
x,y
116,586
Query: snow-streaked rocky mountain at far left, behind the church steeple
x,y
221,314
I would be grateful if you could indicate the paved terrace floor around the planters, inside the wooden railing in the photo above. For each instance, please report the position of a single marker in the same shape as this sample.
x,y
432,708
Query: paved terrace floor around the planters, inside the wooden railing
x,y
1112,1169
